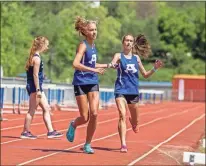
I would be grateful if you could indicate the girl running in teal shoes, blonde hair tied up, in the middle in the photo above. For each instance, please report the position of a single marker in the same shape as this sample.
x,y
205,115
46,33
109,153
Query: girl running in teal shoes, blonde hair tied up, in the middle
x,y
85,81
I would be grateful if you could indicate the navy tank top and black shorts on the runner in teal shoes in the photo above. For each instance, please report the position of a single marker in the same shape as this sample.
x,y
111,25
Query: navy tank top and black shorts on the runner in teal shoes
x,y
86,81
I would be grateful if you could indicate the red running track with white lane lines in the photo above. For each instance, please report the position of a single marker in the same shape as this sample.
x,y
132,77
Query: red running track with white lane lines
x,y
164,128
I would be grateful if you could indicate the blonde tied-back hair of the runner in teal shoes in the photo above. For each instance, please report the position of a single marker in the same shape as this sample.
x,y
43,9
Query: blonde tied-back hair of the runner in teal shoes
x,y
81,24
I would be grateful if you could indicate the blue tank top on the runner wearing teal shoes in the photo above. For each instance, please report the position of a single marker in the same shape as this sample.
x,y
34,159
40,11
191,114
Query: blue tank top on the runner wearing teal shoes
x,y
89,59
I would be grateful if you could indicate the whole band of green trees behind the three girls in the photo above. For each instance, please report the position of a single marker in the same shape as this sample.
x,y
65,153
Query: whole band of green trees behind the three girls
x,y
175,30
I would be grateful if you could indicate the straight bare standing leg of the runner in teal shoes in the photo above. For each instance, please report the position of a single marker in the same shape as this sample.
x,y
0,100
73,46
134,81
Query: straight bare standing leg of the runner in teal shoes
x,y
94,106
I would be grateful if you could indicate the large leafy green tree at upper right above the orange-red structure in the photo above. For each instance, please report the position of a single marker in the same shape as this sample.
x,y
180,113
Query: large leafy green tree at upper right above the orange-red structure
x,y
182,33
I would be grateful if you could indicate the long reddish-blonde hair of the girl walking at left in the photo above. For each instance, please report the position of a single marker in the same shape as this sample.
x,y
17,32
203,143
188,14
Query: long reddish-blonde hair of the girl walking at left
x,y
37,44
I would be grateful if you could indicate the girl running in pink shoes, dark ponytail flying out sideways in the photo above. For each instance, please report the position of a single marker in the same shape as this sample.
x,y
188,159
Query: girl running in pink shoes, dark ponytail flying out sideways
x,y
126,85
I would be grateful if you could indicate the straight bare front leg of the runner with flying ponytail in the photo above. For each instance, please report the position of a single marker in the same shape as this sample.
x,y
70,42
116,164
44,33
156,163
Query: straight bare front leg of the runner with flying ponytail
x,y
121,105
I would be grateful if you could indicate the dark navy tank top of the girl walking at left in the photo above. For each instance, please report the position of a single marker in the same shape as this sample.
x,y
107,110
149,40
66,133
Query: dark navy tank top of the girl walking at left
x,y
29,73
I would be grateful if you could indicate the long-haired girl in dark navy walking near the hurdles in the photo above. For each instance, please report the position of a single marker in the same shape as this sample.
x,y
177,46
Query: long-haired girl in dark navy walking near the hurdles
x,y
35,76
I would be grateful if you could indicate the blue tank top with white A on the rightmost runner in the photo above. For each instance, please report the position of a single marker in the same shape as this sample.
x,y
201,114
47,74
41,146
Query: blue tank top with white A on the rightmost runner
x,y
127,76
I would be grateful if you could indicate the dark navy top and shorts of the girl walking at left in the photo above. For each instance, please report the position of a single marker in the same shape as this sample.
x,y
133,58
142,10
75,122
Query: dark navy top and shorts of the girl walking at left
x,y
31,88
